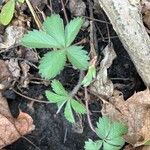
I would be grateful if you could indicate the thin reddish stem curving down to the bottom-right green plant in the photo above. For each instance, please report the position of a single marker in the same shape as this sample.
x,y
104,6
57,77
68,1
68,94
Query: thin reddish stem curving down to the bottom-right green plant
x,y
87,110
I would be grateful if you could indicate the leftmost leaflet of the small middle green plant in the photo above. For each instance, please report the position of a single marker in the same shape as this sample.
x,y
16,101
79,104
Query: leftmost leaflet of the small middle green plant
x,y
54,98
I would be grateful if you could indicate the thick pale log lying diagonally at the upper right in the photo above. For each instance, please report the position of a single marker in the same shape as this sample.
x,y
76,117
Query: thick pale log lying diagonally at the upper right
x,y
127,22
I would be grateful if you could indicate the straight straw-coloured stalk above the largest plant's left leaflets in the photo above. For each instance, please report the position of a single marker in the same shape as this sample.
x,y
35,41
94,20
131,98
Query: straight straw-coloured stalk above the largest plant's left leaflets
x,y
36,18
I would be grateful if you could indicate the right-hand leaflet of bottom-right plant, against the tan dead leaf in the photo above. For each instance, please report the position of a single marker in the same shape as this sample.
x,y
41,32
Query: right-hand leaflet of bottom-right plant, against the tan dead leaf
x,y
117,129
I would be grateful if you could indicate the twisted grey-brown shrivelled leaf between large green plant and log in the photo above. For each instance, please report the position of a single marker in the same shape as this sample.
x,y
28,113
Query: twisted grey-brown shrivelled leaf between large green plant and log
x,y
103,85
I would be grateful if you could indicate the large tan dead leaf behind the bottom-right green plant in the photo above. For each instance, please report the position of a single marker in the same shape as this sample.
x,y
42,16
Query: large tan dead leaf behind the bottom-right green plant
x,y
134,112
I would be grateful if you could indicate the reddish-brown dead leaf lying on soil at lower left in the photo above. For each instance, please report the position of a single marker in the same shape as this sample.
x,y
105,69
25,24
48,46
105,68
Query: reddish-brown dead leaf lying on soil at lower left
x,y
12,129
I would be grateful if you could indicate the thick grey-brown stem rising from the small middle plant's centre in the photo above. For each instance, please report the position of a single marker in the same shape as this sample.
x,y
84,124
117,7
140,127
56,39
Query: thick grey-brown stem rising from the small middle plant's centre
x,y
77,87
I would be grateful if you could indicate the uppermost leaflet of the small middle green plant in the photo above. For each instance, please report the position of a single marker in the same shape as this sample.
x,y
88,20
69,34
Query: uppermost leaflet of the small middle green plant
x,y
58,88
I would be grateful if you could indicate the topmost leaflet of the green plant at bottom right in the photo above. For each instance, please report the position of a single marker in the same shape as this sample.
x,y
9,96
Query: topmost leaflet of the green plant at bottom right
x,y
103,127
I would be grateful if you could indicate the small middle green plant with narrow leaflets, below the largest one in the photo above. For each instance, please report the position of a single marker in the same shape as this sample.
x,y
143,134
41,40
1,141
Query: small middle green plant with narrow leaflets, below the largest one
x,y
61,97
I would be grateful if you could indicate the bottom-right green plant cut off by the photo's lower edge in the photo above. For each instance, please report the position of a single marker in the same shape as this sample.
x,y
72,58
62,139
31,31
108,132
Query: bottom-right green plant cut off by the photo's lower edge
x,y
110,134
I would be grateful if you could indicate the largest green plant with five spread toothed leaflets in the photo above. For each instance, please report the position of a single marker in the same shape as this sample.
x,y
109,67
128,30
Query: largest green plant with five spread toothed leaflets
x,y
55,35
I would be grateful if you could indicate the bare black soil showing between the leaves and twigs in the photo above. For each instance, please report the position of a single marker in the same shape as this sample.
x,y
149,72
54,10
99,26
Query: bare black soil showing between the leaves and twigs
x,y
50,129
